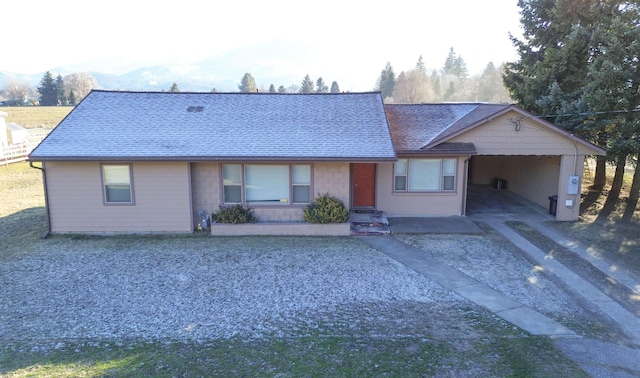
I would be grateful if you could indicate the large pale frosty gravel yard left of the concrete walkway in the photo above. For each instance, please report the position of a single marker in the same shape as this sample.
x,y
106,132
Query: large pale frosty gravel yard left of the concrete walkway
x,y
201,288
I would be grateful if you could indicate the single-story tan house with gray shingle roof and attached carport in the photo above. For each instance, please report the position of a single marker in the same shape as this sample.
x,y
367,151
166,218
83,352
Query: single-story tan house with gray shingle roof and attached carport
x,y
124,162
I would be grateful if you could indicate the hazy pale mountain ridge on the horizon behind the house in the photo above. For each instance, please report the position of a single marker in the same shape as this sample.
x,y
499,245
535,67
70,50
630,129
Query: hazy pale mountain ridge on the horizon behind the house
x,y
277,62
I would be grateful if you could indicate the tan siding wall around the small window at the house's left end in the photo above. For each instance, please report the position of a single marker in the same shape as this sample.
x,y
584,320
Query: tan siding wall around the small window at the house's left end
x,y
161,192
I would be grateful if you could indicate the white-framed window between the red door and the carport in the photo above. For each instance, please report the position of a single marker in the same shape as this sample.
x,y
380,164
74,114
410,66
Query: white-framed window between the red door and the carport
x,y
424,175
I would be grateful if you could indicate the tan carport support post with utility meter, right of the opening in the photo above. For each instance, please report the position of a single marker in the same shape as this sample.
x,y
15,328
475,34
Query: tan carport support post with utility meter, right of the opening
x,y
570,165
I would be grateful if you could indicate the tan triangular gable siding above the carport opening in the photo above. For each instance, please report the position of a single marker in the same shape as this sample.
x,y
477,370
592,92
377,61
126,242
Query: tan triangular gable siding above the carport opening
x,y
499,137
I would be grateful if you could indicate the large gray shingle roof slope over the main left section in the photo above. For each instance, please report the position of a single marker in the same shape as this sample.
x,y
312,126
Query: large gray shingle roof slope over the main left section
x,y
221,126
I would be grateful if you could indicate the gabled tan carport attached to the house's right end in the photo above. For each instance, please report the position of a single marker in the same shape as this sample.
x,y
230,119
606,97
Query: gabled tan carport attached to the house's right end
x,y
529,157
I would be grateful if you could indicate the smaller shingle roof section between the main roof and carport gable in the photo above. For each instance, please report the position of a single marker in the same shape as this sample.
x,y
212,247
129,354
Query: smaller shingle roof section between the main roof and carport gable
x,y
420,127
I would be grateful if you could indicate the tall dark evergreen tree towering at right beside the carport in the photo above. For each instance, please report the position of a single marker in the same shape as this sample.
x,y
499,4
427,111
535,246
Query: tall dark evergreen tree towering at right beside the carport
x,y
578,63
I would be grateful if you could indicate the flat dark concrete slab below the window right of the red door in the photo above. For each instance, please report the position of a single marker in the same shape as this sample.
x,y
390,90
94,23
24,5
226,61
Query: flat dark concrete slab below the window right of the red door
x,y
433,225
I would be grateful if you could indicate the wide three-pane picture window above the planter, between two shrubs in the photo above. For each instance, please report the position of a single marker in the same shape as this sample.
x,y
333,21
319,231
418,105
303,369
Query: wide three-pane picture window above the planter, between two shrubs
x,y
266,184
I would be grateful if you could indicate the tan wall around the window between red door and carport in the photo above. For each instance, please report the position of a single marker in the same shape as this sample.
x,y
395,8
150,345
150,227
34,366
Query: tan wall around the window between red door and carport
x,y
418,204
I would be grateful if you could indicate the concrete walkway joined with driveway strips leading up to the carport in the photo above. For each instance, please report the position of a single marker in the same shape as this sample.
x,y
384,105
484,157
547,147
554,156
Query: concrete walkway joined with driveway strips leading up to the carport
x,y
596,357
